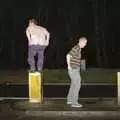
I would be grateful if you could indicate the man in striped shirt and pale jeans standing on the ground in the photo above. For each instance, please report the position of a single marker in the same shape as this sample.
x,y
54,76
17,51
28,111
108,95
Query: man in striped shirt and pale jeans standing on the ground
x,y
73,62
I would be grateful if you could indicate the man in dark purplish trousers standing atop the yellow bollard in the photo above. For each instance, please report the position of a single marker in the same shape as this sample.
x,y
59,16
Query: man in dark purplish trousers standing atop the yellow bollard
x,y
38,40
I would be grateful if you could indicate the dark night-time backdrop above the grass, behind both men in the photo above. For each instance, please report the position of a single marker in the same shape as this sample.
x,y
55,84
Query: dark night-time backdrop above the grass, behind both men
x,y
66,20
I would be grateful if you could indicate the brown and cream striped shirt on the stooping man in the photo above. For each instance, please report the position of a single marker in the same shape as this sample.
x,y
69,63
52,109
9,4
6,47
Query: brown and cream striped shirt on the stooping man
x,y
75,58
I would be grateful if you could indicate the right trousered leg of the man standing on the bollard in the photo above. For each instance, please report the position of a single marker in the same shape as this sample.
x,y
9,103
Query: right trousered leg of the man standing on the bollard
x,y
40,61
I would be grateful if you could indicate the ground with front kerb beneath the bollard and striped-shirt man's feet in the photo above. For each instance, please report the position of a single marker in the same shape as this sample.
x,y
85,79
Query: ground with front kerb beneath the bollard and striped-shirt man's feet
x,y
93,107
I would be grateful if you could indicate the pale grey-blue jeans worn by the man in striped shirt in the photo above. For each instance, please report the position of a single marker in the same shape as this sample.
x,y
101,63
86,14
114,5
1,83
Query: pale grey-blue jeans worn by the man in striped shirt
x,y
75,85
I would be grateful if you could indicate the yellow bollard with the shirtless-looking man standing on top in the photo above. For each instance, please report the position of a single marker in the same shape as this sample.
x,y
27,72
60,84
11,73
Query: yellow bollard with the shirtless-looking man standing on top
x,y
35,88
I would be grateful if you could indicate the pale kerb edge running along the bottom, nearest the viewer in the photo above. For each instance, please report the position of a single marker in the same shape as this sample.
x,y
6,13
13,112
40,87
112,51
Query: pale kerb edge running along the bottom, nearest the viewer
x,y
81,114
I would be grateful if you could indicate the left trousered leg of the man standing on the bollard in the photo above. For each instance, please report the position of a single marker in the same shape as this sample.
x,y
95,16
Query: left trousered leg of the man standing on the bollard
x,y
31,59
